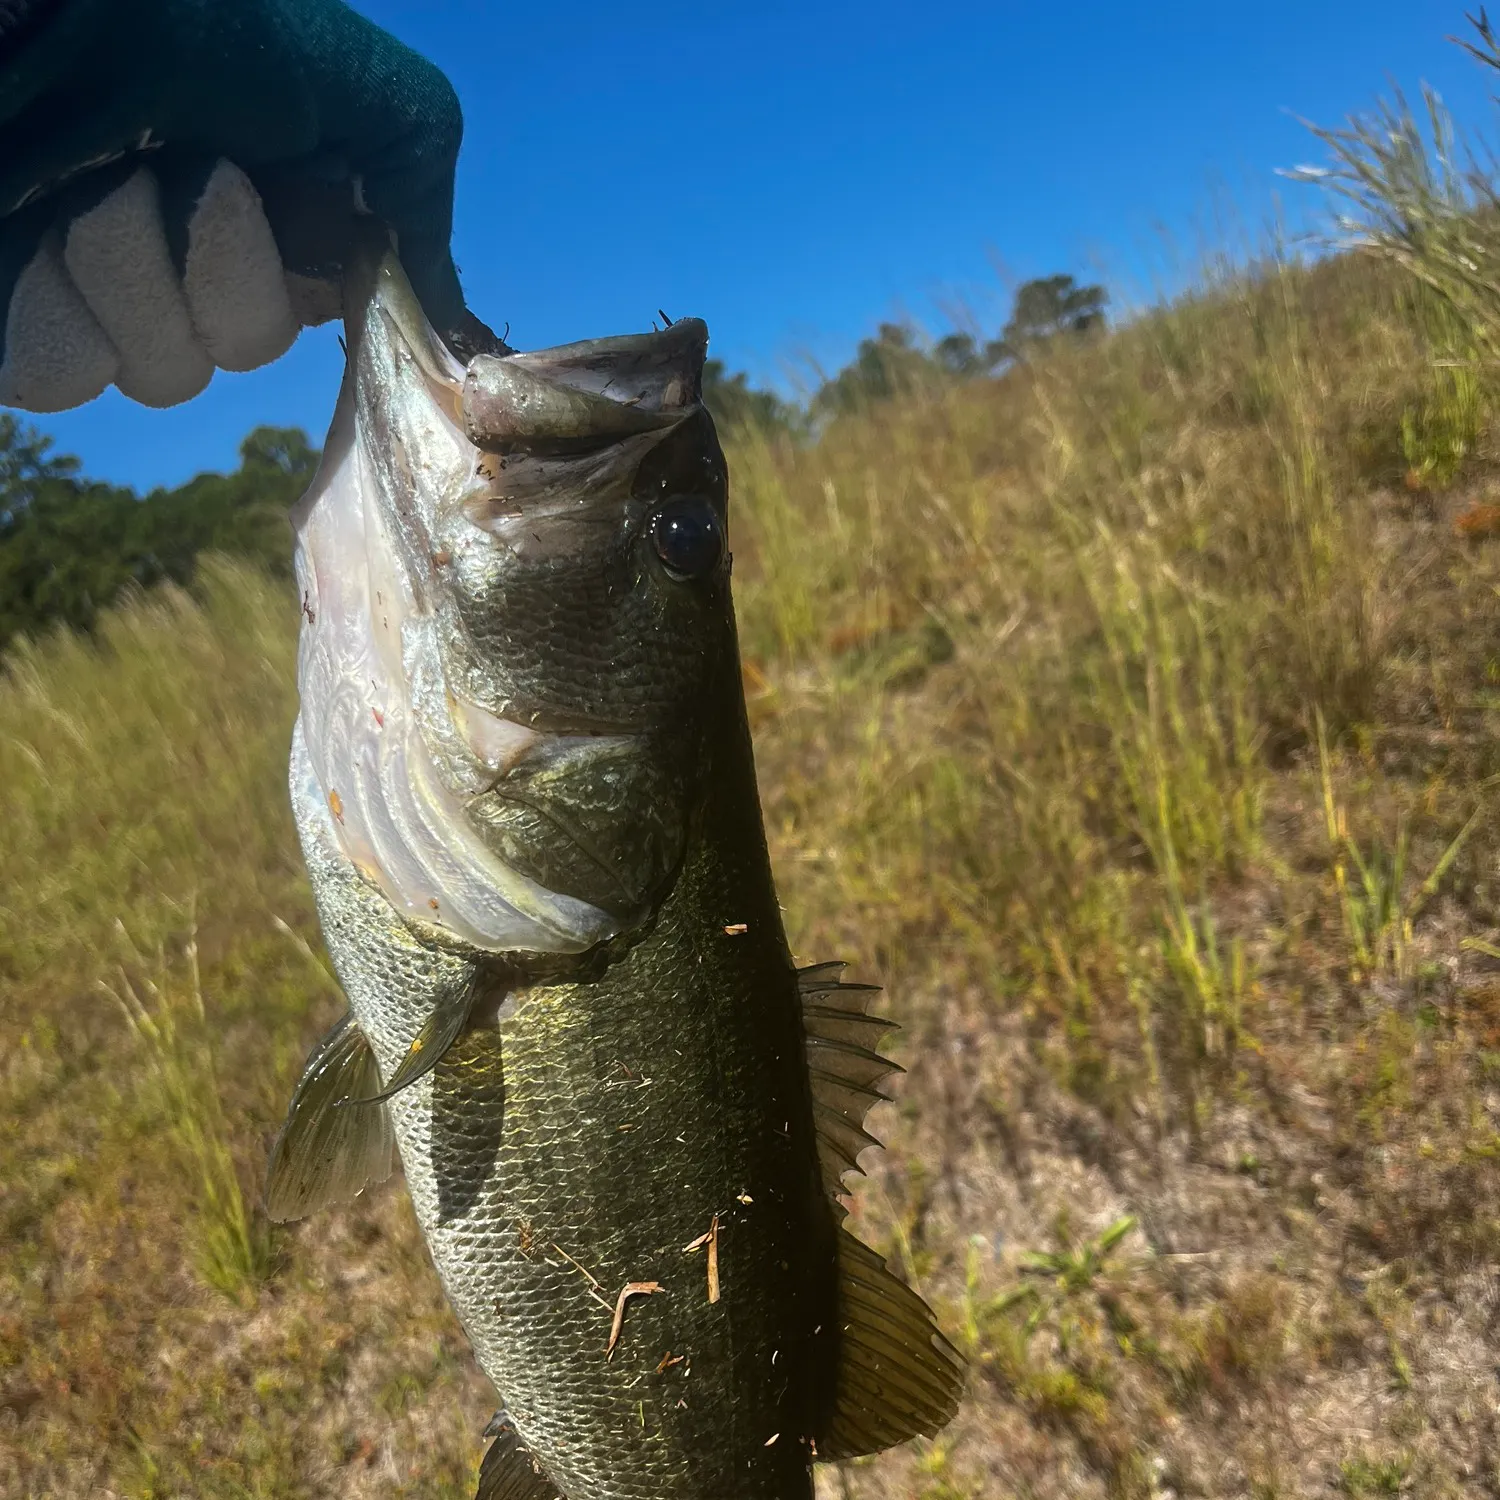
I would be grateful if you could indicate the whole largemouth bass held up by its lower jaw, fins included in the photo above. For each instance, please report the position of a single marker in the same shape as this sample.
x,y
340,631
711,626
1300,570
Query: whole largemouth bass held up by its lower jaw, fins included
x,y
526,794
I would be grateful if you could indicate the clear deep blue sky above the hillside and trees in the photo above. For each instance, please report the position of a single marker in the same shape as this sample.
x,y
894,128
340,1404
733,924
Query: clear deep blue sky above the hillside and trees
x,y
799,170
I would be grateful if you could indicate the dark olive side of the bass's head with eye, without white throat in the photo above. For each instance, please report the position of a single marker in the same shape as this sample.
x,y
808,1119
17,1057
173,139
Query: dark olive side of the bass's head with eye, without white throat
x,y
589,599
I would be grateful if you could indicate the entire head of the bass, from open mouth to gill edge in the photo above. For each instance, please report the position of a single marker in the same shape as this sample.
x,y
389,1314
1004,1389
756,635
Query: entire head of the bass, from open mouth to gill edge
x,y
517,616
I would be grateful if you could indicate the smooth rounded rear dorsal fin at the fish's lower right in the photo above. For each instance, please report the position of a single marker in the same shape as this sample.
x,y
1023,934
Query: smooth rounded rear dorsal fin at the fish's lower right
x,y
898,1376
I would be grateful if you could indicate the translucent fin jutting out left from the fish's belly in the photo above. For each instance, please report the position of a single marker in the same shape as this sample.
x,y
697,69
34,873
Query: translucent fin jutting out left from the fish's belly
x,y
328,1153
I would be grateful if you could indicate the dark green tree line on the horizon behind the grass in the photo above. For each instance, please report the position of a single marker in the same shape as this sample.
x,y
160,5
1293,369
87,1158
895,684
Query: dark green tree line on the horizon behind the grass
x,y
68,544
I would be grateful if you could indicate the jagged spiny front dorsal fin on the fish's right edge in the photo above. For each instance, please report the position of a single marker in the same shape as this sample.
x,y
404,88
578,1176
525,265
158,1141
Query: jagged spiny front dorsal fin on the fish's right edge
x,y
844,1064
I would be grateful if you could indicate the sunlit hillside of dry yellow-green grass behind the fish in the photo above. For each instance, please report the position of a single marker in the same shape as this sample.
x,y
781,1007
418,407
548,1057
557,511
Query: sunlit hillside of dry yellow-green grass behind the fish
x,y
1130,719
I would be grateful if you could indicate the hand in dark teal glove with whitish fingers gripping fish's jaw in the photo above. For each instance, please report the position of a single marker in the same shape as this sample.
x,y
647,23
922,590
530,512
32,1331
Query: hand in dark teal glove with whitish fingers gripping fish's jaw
x,y
181,179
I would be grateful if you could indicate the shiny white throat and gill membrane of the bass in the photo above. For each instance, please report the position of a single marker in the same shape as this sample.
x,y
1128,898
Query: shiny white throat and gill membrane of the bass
x,y
371,683
